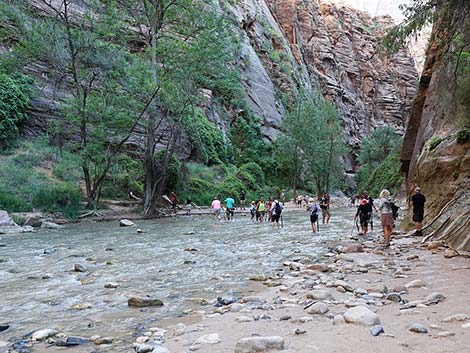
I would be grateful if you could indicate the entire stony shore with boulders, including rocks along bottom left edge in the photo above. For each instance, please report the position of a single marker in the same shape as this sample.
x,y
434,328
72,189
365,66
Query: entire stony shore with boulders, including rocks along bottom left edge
x,y
357,297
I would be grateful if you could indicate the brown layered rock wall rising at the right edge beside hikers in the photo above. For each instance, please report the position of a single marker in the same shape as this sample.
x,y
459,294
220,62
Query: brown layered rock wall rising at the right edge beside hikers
x,y
432,158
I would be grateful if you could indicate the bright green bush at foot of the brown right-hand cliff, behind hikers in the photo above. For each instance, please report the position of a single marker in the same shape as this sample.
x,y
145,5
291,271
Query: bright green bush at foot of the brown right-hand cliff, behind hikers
x,y
386,176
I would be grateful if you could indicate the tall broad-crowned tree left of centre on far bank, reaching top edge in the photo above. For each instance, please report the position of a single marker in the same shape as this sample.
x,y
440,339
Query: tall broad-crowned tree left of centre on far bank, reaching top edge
x,y
186,46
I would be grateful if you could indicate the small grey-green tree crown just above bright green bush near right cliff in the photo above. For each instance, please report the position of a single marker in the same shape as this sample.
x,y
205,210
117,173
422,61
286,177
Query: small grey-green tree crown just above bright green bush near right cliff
x,y
378,146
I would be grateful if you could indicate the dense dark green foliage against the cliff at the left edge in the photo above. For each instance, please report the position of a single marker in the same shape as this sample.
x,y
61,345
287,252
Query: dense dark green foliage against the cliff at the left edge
x,y
15,93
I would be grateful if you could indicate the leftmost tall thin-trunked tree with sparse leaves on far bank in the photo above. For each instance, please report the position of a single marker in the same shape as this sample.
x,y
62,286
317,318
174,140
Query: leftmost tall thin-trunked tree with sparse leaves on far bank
x,y
81,55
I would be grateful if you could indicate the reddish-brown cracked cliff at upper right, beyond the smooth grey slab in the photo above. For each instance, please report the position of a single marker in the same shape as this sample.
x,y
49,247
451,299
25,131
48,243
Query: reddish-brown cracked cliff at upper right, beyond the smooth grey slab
x,y
340,47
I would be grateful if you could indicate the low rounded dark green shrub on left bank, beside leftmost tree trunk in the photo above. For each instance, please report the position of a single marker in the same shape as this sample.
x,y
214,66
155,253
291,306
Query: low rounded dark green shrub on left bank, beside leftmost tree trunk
x,y
64,198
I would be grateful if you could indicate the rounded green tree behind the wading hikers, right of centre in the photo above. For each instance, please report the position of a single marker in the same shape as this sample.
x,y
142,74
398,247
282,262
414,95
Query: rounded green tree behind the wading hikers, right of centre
x,y
313,142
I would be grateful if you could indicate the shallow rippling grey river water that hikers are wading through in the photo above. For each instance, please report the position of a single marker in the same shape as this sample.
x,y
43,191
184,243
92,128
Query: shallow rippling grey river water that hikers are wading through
x,y
154,263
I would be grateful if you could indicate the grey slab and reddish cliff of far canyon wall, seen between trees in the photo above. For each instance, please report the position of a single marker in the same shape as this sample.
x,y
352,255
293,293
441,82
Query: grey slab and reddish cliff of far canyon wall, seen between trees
x,y
292,44
